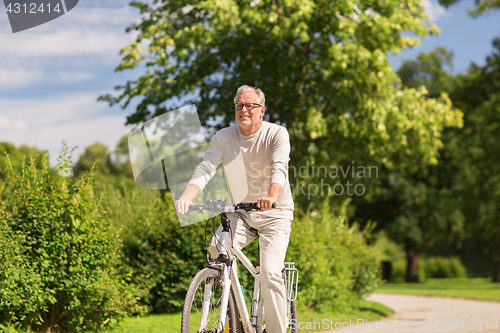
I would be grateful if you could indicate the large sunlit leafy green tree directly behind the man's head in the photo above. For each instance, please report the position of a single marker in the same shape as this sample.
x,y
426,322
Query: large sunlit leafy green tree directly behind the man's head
x,y
323,67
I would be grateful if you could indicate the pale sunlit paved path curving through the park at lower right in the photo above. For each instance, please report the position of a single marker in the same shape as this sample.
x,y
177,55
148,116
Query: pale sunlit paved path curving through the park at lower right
x,y
422,314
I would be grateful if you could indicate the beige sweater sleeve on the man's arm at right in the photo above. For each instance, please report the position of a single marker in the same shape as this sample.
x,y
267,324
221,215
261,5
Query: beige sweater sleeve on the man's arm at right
x,y
280,157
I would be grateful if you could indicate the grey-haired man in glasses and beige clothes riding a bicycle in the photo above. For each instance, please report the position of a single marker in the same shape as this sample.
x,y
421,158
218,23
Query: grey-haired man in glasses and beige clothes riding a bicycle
x,y
255,152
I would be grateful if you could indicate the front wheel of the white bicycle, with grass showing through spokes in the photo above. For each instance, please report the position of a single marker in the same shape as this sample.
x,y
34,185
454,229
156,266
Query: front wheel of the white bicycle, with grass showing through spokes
x,y
191,312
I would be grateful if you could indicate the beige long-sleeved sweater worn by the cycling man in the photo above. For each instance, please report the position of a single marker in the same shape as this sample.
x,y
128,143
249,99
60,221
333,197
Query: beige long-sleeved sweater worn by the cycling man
x,y
250,163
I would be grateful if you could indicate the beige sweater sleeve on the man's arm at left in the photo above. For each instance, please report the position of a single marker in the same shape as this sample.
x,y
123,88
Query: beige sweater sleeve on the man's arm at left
x,y
208,166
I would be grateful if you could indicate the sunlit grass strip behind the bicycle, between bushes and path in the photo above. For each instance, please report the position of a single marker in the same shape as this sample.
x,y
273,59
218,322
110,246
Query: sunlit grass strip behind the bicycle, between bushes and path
x,y
171,323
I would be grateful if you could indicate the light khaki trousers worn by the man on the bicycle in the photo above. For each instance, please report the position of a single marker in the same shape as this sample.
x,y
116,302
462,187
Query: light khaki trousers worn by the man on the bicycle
x,y
274,229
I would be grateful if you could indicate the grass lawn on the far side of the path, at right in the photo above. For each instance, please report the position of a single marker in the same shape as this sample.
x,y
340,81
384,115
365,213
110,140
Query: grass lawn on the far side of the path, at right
x,y
477,288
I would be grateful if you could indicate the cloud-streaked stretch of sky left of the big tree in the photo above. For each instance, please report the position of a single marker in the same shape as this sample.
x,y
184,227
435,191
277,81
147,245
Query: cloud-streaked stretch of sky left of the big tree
x,y
80,46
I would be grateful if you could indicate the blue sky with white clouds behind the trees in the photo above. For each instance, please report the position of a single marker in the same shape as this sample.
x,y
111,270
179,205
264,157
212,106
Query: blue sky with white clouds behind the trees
x,y
52,75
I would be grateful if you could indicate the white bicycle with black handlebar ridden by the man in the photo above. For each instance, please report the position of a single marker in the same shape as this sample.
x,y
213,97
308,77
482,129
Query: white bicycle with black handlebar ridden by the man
x,y
215,302
